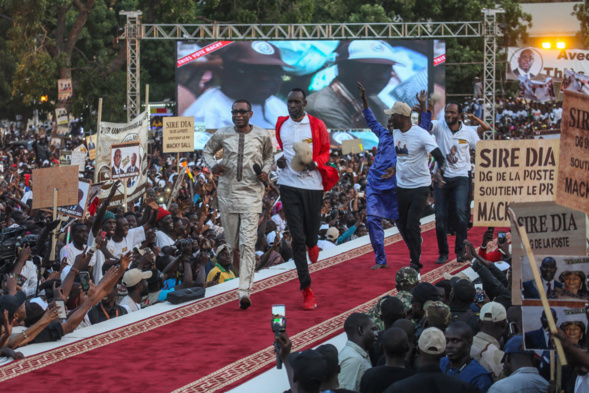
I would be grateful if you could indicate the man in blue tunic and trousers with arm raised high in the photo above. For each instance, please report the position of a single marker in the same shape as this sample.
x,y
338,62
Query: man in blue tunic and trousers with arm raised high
x,y
381,198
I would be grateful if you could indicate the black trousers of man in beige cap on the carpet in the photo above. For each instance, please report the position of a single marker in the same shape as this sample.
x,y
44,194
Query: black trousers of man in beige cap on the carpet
x,y
411,202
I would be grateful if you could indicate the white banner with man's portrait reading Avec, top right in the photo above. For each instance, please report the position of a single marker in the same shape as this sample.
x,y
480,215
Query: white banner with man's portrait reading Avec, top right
x,y
539,64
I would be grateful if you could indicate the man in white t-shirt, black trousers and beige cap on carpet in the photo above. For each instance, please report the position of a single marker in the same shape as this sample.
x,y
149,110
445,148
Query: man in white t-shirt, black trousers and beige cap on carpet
x,y
413,145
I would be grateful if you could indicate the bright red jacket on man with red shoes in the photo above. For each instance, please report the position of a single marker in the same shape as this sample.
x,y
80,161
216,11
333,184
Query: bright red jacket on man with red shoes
x,y
321,149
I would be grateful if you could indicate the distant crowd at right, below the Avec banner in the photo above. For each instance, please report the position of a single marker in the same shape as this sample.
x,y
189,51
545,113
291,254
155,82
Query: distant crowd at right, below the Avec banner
x,y
517,118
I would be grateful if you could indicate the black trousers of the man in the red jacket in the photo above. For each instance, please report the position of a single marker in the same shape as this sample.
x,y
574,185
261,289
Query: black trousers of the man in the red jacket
x,y
302,209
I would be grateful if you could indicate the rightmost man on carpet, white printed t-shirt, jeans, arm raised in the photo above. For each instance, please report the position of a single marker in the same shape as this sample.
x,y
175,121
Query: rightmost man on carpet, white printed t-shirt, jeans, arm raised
x,y
455,140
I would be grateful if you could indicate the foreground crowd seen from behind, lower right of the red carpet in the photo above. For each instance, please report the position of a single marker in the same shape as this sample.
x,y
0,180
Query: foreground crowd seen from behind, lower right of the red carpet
x,y
442,337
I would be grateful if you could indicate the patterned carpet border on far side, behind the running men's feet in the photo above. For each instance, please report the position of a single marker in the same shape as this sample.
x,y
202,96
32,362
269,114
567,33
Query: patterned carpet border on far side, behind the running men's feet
x,y
44,359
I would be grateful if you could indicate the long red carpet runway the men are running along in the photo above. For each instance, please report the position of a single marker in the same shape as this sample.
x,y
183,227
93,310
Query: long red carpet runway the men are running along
x,y
211,345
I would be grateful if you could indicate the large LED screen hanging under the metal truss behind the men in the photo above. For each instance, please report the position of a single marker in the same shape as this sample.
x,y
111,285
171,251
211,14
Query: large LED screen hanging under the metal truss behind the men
x,y
210,76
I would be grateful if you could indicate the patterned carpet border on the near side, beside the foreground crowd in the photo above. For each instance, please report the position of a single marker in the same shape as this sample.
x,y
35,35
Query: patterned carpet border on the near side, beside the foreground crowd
x,y
308,338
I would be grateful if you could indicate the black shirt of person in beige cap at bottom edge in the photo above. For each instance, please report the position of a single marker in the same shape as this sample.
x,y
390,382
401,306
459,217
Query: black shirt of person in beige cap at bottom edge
x,y
431,379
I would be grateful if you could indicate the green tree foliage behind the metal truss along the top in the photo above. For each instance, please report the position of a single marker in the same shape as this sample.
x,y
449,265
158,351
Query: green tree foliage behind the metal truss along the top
x,y
43,40
